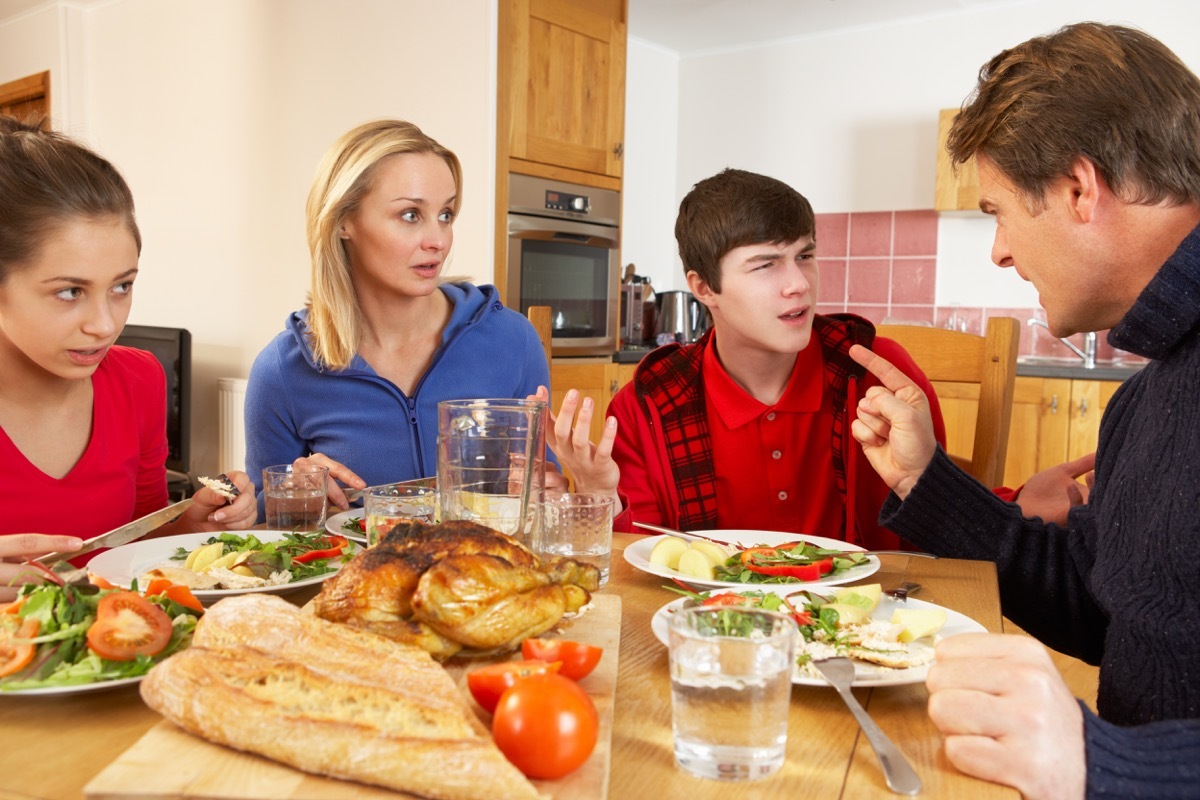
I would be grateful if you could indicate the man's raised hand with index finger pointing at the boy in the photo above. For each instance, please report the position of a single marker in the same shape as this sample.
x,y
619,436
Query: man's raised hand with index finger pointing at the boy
x,y
895,424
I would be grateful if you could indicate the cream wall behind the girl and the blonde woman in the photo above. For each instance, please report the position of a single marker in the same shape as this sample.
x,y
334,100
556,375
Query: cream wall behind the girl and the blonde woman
x,y
218,113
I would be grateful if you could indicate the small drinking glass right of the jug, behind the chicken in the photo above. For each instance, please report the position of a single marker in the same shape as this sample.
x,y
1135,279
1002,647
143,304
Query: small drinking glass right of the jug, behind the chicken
x,y
579,527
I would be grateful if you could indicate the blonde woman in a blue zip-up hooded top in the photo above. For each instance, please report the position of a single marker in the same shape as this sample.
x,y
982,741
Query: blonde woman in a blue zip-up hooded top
x,y
355,381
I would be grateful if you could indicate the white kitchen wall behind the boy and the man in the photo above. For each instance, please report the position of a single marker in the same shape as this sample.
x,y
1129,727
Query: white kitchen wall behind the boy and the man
x,y
851,122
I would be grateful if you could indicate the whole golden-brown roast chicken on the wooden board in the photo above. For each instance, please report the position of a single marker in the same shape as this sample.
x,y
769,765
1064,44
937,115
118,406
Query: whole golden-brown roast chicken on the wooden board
x,y
455,587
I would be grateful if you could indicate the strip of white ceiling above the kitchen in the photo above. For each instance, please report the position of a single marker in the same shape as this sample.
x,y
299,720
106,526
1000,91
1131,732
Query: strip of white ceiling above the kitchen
x,y
694,27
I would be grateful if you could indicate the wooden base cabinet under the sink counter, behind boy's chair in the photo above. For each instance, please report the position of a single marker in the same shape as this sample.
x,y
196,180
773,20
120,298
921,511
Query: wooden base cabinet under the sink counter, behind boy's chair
x,y
1054,420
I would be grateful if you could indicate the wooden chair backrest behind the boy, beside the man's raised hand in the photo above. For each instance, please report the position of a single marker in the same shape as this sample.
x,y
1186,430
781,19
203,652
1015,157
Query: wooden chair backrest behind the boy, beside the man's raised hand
x,y
953,362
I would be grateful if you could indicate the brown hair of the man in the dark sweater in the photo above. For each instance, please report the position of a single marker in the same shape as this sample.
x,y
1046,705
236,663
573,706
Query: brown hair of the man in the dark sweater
x,y
1112,94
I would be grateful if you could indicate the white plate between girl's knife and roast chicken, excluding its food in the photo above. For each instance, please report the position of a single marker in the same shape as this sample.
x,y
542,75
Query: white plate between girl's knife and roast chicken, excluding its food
x,y
122,566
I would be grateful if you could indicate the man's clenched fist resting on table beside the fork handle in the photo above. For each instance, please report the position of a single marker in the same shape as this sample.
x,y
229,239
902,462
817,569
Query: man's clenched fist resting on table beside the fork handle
x,y
1007,715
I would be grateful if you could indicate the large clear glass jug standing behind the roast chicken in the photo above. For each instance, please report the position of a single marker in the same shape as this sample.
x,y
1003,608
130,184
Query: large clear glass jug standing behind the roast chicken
x,y
491,462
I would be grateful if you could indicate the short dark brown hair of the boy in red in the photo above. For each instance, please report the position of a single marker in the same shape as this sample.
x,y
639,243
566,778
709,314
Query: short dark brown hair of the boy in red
x,y
734,209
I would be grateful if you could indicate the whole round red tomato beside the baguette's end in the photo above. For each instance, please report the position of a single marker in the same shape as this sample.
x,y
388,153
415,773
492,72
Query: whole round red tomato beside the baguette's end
x,y
547,726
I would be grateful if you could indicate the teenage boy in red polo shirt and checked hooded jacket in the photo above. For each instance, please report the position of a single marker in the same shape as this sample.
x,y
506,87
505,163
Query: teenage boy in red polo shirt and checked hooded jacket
x,y
749,428
